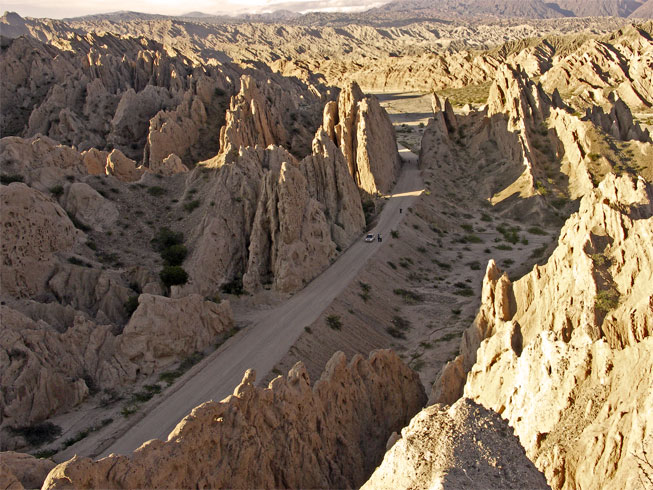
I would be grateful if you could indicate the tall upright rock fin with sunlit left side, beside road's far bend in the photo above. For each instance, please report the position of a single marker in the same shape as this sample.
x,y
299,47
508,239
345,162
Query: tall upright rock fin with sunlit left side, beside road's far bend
x,y
360,127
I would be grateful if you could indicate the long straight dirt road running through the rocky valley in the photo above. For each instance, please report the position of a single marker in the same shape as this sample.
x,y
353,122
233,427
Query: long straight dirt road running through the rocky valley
x,y
261,345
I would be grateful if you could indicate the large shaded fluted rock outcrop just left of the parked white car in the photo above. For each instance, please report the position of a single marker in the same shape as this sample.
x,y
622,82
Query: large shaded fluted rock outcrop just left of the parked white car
x,y
287,218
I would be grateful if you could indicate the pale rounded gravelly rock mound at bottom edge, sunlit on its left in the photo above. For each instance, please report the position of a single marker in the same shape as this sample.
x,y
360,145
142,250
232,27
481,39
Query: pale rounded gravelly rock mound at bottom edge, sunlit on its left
x,y
463,446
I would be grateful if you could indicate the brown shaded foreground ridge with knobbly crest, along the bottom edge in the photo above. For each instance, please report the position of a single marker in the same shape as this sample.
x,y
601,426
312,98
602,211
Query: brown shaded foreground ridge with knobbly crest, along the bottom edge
x,y
289,435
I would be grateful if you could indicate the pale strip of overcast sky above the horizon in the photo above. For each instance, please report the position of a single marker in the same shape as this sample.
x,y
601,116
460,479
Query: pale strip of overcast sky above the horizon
x,y
72,8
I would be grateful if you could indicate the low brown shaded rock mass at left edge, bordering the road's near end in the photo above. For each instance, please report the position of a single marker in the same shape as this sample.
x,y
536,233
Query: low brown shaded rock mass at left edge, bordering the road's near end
x,y
47,367
